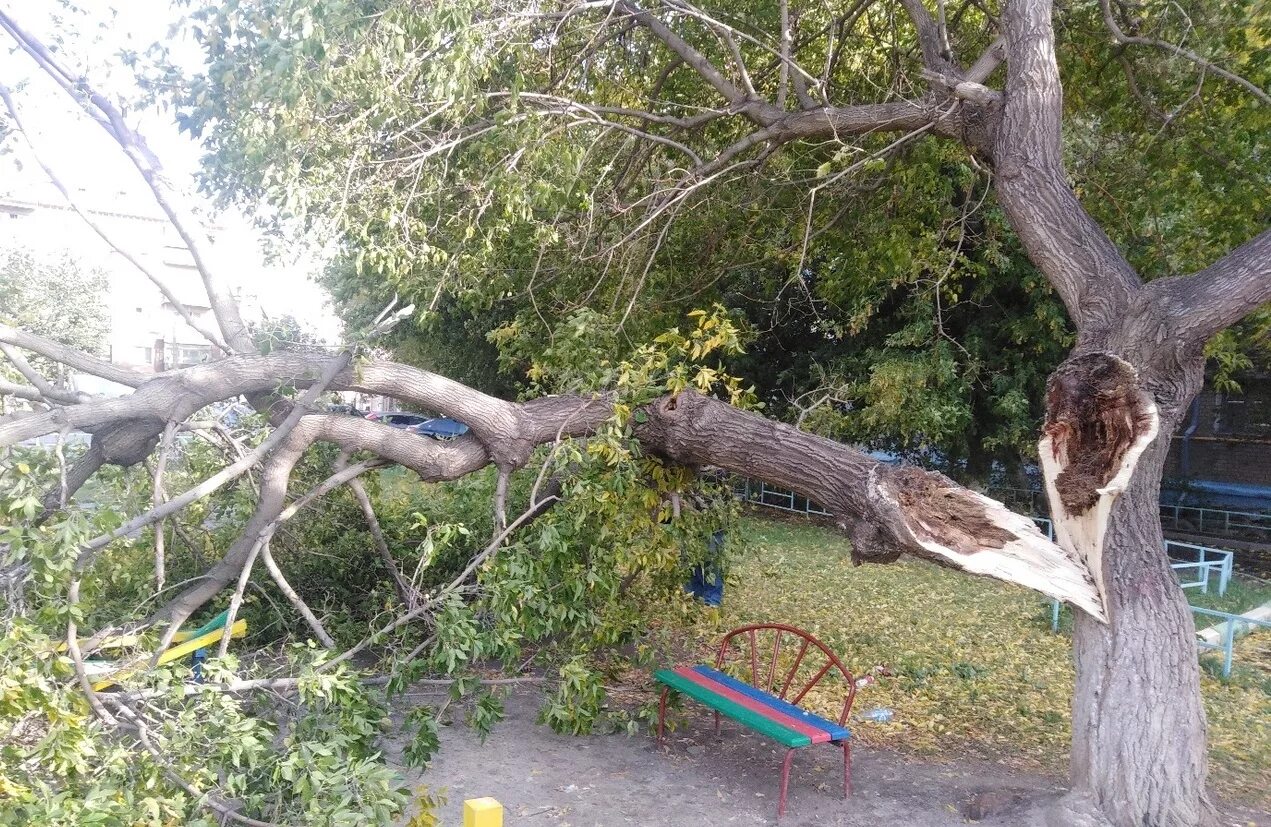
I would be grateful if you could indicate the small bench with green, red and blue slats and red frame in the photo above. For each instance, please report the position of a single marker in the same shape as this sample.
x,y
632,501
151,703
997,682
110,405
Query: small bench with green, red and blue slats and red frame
x,y
768,702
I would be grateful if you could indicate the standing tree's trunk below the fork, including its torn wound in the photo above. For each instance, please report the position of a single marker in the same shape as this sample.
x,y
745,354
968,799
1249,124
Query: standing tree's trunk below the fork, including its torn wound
x,y
1139,748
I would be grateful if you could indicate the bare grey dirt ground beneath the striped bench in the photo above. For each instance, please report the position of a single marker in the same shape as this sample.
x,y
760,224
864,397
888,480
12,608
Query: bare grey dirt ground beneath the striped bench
x,y
545,779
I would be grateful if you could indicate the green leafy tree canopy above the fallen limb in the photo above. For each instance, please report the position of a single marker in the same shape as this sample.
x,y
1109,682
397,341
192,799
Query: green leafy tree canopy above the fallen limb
x,y
506,168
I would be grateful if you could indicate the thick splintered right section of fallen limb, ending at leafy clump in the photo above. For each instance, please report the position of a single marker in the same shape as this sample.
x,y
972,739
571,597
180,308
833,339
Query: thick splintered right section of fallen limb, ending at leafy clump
x,y
885,511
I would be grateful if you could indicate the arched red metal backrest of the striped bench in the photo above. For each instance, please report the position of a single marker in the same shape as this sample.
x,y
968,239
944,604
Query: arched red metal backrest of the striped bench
x,y
761,647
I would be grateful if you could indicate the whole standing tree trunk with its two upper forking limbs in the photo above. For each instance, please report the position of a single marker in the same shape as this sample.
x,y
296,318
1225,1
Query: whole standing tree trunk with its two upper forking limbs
x,y
1138,723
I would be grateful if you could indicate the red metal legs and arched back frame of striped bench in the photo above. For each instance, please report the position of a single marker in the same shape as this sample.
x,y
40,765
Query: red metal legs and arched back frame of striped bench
x,y
766,680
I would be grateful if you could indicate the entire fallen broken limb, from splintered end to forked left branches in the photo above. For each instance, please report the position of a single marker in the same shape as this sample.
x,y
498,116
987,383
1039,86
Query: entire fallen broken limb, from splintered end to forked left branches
x,y
885,511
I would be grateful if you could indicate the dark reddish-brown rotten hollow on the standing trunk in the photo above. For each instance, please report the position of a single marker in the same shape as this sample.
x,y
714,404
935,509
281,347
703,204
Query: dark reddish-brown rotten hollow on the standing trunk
x,y
1095,412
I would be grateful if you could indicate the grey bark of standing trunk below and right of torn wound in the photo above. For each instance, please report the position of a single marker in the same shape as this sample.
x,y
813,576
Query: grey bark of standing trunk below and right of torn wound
x,y
1139,748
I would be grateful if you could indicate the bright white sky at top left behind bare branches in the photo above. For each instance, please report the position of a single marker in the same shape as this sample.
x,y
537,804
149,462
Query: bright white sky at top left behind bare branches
x,y
91,165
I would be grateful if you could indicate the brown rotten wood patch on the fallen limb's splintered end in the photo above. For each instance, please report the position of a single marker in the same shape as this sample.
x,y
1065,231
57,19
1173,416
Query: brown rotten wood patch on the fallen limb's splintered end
x,y
939,511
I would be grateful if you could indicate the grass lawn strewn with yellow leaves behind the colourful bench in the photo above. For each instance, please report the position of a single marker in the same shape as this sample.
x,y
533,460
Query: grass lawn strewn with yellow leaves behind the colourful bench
x,y
978,670
